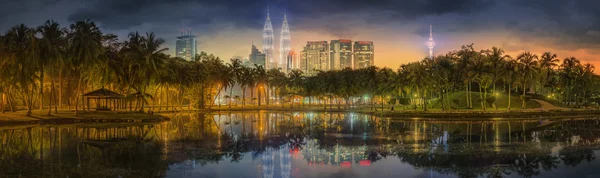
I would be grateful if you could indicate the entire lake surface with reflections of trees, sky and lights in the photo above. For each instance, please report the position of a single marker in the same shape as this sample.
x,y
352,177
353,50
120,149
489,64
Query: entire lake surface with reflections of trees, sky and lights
x,y
272,144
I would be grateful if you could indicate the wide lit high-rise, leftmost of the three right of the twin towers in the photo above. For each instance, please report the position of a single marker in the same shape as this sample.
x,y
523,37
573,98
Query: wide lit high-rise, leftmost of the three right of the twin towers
x,y
315,56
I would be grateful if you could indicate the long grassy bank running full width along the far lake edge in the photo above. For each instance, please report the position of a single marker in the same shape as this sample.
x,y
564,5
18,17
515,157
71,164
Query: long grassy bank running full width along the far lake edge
x,y
40,117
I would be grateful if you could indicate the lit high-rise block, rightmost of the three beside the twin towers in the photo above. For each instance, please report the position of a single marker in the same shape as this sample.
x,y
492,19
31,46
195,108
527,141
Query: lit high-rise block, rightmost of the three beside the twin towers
x,y
364,54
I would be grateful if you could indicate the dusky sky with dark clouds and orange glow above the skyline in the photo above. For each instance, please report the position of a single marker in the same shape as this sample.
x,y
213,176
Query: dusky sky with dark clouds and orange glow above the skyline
x,y
398,28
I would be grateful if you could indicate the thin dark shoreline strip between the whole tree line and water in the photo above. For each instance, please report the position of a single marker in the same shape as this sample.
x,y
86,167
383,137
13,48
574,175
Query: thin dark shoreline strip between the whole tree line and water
x,y
159,116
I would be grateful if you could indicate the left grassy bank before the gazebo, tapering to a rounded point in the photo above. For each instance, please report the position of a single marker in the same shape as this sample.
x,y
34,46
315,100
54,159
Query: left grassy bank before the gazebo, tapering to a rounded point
x,y
68,117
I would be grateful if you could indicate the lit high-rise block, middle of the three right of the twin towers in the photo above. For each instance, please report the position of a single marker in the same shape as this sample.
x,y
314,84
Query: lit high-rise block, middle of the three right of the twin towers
x,y
341,54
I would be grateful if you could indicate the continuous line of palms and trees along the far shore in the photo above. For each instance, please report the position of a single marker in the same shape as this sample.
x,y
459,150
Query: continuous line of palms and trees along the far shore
x,y
53,66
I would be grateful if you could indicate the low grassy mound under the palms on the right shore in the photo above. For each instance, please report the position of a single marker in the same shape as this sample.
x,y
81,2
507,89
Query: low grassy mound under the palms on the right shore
x,y
501,101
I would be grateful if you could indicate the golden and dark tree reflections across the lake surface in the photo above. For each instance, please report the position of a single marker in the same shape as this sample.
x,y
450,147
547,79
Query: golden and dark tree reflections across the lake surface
x,y
148,149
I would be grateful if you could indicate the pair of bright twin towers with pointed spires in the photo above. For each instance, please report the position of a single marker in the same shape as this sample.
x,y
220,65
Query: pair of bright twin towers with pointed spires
x,y
284,44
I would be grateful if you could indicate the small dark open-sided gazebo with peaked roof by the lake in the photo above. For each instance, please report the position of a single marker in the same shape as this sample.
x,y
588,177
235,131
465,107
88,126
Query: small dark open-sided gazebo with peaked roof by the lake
x,y
104,99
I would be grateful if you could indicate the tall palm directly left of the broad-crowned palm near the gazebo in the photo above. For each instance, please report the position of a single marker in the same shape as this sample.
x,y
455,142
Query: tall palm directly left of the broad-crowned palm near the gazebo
x,y
52,44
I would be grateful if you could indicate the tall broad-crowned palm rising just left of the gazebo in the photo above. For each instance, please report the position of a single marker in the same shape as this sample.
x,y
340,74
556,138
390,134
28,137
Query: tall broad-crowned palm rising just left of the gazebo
x,y
85,41
